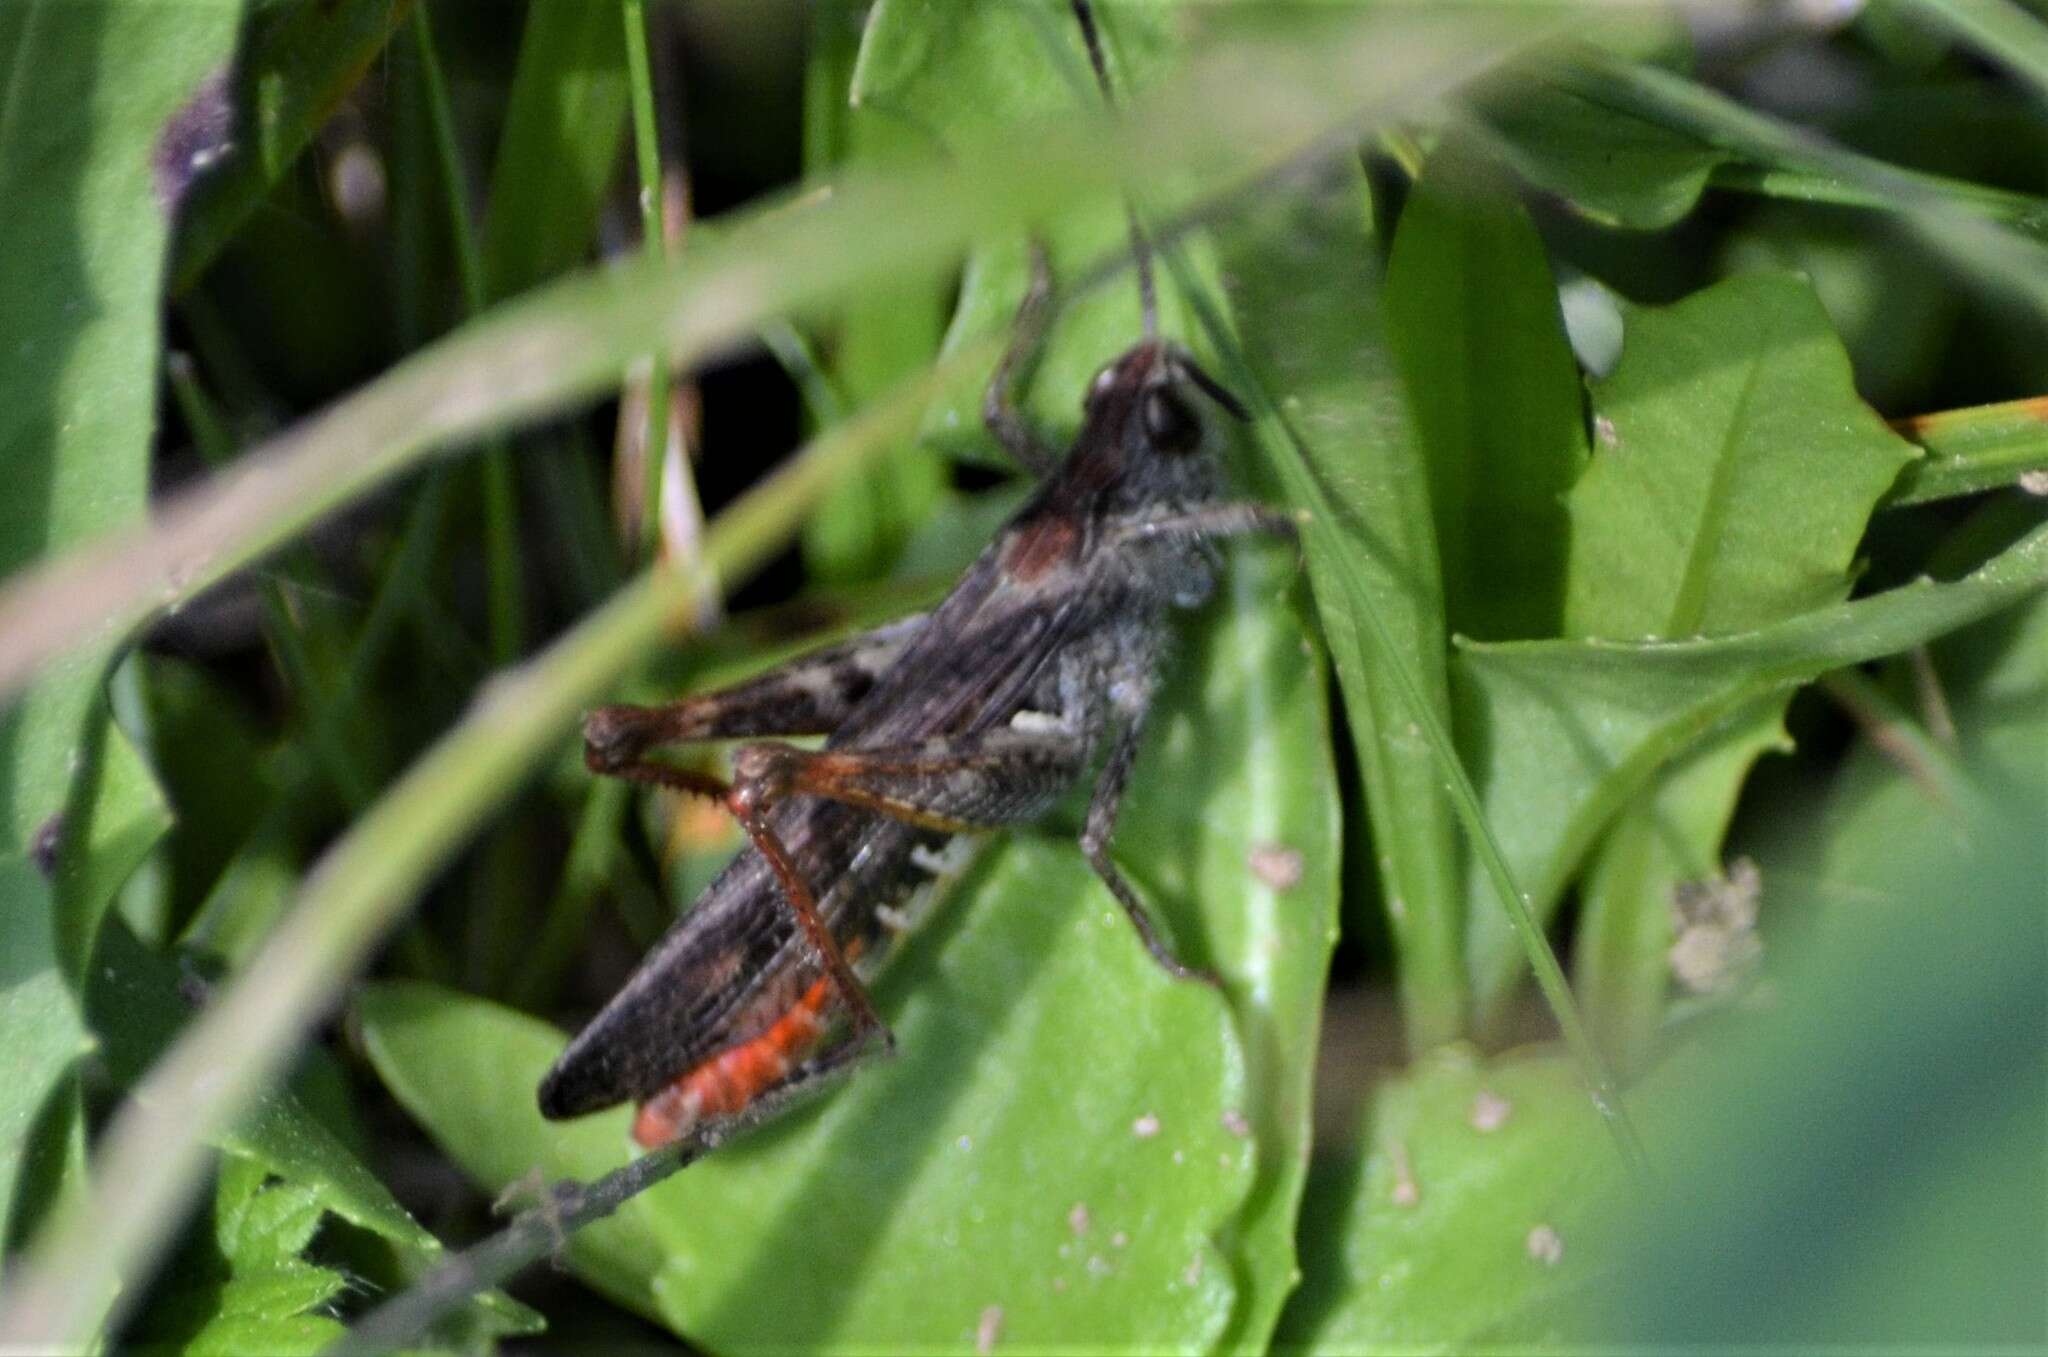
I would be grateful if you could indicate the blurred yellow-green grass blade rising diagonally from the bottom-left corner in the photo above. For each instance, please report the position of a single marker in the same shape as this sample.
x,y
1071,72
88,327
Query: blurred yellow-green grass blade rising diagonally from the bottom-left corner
x,y
155,1151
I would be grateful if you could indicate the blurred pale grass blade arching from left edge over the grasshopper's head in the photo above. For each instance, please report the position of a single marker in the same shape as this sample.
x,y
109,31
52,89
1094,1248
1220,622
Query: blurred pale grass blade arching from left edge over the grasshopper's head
x,y
1230,116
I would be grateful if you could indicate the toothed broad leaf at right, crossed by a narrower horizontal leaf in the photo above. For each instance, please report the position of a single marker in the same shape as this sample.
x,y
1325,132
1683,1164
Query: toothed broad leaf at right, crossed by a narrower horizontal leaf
x,y
1736,476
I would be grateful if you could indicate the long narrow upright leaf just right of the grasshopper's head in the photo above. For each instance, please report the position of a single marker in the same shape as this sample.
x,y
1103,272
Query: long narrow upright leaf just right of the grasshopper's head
x,y
1336,437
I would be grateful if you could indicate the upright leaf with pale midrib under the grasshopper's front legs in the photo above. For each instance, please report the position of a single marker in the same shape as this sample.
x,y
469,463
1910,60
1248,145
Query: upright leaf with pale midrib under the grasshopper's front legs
x,y
1256,691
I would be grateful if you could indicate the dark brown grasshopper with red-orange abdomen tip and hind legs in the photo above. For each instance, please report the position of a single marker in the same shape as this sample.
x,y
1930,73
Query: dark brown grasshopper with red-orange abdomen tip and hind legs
x,y
1035,672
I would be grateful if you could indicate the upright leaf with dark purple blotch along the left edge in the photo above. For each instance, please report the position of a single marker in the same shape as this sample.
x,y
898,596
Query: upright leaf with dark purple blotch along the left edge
x,y
97,91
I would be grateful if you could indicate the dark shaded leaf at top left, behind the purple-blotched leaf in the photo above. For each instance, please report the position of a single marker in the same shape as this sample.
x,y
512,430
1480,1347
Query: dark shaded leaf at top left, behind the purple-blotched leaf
x,y
300,60
